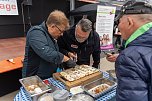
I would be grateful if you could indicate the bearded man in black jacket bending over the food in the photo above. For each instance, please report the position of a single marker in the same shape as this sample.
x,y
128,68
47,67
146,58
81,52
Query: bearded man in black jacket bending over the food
x,y
80,42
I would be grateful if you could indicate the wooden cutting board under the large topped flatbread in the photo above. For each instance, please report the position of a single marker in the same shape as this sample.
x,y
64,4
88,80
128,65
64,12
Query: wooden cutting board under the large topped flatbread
x,y
81,81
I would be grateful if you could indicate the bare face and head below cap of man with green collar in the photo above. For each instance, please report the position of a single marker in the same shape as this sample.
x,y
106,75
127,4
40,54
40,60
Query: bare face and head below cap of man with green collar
x,y
128,24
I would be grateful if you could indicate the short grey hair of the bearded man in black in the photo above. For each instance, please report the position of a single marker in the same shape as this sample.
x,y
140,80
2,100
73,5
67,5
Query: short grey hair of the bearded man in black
x,y
85,24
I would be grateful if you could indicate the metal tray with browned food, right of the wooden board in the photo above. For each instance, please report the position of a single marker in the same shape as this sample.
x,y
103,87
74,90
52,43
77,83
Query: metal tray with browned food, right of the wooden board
x,y
96,83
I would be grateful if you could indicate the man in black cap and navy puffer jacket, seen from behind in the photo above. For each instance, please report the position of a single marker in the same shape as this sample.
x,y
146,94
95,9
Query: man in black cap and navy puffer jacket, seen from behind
x,y
134,64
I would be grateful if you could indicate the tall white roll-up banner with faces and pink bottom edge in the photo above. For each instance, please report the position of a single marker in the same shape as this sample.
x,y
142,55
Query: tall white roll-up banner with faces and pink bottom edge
x,y
104,26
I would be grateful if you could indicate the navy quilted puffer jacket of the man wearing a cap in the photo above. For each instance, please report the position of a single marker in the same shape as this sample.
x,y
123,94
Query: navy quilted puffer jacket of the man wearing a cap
x,y
133,68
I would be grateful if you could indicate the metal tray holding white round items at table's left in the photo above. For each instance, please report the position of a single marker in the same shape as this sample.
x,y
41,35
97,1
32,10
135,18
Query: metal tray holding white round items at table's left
x,y
34,80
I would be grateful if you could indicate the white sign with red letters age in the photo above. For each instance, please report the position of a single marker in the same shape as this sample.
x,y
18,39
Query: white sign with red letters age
x,y
8,7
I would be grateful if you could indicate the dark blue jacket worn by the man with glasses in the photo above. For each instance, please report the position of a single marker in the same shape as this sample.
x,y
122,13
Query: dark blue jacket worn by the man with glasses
x,y
42,56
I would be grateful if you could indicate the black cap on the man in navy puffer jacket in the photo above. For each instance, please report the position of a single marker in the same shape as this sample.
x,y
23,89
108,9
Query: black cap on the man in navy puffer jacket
x,y
135,7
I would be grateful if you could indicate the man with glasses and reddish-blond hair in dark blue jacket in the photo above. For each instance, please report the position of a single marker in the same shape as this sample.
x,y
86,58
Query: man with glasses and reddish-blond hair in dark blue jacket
x,y
42,56
